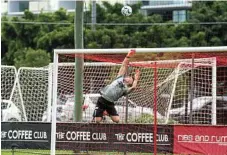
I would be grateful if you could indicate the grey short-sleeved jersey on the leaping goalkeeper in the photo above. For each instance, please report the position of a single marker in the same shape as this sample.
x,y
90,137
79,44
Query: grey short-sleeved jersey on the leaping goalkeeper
x,y
115,90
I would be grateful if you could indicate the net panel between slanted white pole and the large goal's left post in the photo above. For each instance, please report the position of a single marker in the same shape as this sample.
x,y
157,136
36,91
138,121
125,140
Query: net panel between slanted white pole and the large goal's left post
x,y
34,84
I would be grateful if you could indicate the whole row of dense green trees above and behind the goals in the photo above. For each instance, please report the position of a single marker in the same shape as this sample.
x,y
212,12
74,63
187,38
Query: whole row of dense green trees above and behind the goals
x,y
48,36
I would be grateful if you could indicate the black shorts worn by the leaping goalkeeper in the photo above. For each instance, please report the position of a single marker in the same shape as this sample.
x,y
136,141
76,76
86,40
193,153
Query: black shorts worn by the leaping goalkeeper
x,y
102,105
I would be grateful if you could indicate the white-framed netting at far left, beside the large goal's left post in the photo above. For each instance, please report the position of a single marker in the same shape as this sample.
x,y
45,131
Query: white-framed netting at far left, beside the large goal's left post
x,y
26,93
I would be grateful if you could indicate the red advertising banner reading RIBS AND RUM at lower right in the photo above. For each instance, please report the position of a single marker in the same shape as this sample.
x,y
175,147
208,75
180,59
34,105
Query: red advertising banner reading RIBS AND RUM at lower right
x,y
200,140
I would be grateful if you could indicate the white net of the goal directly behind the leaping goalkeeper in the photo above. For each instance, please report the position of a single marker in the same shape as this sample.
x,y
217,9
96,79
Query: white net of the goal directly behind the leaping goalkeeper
x,y
173,90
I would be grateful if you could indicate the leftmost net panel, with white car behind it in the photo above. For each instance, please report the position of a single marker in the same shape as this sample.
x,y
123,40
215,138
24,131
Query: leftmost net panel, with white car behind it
x,y
11,104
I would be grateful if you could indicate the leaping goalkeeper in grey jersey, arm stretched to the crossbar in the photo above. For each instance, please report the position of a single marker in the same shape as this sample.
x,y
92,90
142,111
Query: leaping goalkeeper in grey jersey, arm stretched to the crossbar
x,y
121,86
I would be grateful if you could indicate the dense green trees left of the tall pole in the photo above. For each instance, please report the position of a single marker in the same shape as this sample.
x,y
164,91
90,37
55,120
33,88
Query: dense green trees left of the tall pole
x,y
19,36
